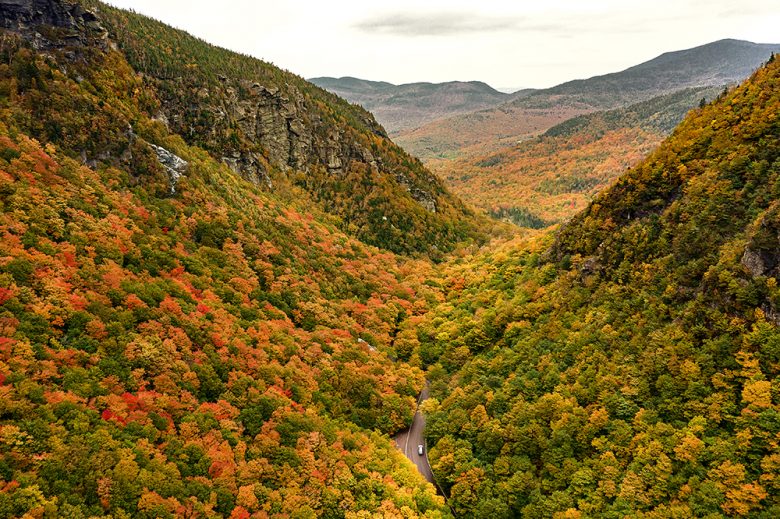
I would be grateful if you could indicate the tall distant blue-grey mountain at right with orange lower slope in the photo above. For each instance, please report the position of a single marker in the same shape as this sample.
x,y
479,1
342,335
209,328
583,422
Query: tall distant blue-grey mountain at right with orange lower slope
x,y
717,63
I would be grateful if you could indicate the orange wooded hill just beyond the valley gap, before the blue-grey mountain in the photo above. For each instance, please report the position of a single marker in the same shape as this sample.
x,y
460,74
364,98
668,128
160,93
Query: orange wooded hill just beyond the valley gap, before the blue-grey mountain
x,y
549,178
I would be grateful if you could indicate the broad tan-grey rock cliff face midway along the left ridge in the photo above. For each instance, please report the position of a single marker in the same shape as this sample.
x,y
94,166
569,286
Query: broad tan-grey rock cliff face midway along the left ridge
x,y
262,124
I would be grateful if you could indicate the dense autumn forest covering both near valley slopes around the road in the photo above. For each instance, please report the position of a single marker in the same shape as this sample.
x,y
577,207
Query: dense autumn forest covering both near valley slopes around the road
x,y
192,325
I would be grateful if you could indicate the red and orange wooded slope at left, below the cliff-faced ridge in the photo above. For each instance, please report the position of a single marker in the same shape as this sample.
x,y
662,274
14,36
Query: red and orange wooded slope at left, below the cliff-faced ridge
x,y
175,340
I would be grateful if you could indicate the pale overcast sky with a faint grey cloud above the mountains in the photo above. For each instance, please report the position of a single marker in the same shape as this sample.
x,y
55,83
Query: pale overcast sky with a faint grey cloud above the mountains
x,y
509,43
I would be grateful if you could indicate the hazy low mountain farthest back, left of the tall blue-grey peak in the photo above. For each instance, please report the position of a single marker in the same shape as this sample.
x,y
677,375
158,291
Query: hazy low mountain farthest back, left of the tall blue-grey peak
x,y
404,107
